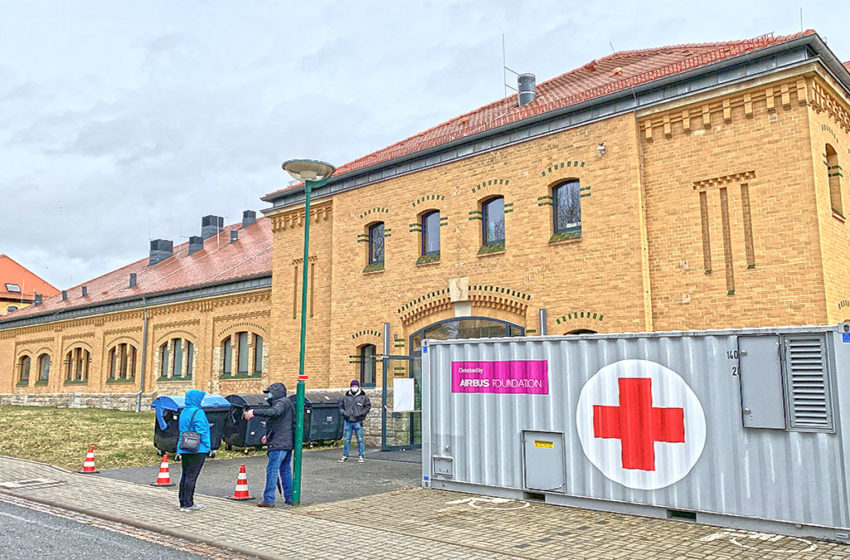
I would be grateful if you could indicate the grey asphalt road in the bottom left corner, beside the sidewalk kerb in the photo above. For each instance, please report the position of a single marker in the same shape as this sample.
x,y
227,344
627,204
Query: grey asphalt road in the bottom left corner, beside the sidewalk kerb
x,y
26,534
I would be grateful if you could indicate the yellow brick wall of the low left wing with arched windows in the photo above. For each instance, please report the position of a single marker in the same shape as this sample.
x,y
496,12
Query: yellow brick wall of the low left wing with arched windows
x,y
205,323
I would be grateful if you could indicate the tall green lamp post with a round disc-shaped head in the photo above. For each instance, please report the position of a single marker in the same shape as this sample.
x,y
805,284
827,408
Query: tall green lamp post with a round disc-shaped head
x,y
314,174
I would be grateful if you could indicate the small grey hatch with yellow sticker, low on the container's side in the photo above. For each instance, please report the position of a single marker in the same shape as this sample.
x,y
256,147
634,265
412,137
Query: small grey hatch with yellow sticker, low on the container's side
x,y
544,461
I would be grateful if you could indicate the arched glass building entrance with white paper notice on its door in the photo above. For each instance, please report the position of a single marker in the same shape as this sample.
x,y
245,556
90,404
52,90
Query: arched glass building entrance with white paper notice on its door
x,y
401,429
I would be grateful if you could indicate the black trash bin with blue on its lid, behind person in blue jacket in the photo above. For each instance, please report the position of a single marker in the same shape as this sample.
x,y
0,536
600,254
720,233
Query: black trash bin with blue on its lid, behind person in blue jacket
x,y
168,408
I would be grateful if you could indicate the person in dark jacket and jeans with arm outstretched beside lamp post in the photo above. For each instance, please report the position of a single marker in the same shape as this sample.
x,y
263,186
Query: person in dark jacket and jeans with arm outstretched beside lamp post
x,y
280,437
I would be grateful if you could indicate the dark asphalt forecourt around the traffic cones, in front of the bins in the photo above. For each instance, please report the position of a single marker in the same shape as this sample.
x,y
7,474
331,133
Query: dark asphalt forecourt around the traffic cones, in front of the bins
x,y
323,478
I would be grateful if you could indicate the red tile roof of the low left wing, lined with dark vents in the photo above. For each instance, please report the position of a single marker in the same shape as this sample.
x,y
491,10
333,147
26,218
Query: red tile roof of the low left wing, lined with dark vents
x,y
219,261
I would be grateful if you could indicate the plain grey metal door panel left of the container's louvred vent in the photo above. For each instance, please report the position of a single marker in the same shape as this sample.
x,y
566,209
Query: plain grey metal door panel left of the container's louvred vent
x,y
762,398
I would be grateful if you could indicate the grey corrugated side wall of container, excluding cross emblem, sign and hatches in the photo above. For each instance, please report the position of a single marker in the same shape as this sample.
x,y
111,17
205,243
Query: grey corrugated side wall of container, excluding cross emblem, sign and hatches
x,y
788,476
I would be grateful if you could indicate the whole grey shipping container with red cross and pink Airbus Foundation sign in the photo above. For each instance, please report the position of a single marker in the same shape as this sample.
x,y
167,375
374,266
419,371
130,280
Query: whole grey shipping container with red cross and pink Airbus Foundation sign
x,y
737,428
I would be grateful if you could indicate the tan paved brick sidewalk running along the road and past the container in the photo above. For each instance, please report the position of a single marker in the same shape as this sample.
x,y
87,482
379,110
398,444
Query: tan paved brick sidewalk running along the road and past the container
x,y
411,523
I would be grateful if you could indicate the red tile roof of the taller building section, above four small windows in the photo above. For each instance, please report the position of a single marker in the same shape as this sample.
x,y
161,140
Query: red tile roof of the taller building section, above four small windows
x,y
610,74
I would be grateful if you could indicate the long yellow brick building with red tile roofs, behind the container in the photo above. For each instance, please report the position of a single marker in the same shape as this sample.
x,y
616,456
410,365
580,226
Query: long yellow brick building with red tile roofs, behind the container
x,y
686,187
